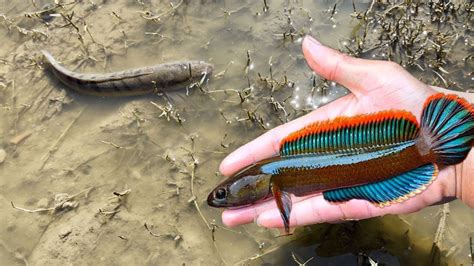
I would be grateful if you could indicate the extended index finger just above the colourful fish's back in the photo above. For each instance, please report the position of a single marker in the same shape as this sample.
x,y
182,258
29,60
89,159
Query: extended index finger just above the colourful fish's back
x,y
268,144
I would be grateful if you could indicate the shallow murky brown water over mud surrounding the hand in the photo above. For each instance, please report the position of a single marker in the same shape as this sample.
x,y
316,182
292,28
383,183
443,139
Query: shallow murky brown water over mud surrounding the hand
x,y
127,162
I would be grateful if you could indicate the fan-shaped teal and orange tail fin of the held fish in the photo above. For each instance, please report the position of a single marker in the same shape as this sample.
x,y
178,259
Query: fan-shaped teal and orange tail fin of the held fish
x,y
447,128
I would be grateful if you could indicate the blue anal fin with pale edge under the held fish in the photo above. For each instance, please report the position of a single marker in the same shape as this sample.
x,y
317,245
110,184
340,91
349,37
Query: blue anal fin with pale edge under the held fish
x,y
392,190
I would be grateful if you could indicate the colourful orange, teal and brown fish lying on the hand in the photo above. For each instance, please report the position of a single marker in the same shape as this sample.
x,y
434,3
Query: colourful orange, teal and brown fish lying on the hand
x,y
384,157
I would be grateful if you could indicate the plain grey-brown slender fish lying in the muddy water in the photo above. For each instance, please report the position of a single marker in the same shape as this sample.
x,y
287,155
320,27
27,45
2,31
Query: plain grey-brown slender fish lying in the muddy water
x,y
139,81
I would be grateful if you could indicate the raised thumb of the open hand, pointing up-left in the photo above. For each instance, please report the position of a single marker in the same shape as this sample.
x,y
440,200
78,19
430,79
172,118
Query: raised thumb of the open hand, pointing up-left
x,y
353,73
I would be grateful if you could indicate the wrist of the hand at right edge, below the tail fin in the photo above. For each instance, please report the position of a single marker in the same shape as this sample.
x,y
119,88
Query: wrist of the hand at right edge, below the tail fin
x,y
464,174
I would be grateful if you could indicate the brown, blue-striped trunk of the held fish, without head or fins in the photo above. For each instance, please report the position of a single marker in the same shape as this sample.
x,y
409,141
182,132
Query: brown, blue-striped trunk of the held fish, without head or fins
x,y
307,174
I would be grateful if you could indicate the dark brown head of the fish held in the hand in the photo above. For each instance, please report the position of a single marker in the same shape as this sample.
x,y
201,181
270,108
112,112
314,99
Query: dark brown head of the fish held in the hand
x,y
244,188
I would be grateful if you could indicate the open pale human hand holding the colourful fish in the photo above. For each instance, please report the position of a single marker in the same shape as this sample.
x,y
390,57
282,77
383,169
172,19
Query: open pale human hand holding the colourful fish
x,y
375,86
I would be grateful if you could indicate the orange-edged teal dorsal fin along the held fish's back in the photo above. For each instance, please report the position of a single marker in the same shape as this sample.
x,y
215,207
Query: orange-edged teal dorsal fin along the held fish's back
x,y
348,133
